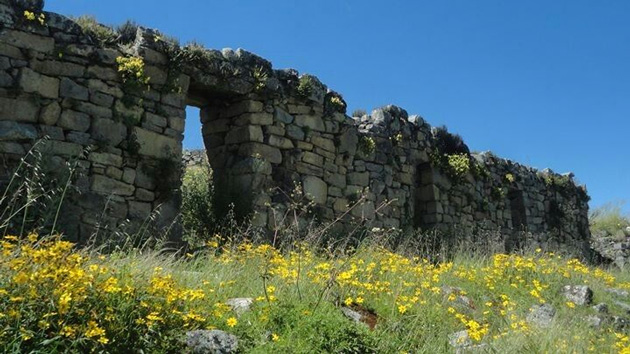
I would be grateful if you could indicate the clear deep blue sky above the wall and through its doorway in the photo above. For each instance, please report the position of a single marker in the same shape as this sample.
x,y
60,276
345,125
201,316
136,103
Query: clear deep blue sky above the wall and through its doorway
x,y
545,83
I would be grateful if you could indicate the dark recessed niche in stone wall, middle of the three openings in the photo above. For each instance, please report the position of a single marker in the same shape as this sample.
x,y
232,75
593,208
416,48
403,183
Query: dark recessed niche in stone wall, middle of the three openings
x,y
427,209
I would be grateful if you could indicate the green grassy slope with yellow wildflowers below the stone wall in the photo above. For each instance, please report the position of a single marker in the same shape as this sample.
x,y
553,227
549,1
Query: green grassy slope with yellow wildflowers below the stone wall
x,y
55,298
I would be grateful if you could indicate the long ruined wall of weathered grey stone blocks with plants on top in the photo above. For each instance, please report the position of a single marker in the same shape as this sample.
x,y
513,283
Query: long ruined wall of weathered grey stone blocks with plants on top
x,y
114,102
